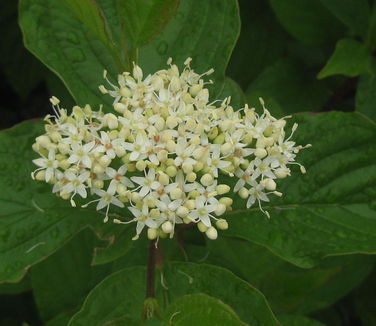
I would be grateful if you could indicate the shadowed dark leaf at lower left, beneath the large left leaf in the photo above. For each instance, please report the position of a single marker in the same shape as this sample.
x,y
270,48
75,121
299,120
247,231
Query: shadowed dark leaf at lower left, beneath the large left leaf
x,y
62,281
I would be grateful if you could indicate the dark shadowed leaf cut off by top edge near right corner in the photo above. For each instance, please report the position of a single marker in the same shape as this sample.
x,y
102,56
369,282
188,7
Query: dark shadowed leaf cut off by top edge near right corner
x,y
353,13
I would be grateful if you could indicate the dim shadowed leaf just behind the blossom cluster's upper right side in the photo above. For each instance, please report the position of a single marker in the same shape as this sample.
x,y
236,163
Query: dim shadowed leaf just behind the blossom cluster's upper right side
x,y
286,87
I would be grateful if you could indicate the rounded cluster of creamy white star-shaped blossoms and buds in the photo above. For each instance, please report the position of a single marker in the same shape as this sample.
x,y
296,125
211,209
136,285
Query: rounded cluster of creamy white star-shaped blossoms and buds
x,y
163,152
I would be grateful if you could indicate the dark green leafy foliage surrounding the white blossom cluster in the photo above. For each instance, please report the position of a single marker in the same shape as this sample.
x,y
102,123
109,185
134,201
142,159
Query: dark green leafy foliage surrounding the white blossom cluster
x,y
310,264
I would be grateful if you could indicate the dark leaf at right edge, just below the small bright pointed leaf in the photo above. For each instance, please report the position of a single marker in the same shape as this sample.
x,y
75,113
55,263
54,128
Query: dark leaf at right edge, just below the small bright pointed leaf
x,y
365,100
